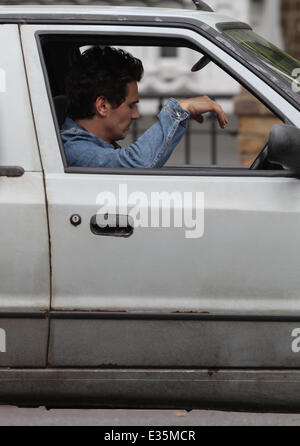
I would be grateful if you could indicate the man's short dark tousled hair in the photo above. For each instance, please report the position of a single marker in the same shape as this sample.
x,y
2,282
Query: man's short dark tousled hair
x,y
100,72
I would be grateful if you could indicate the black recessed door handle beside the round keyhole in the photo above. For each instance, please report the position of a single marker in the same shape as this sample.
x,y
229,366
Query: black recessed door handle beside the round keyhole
x,y
112,225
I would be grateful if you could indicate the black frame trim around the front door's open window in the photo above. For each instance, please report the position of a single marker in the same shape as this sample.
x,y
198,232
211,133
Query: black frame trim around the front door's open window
x,y
182,170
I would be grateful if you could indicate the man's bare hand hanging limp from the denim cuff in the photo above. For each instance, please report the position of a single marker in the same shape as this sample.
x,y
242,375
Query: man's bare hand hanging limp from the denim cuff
x,y
203,104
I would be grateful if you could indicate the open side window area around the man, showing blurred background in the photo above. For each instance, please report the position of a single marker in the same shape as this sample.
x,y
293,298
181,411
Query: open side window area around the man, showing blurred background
x,y
168,73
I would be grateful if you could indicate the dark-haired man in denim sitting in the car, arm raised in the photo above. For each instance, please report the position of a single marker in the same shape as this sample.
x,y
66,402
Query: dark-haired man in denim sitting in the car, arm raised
x,y
102,97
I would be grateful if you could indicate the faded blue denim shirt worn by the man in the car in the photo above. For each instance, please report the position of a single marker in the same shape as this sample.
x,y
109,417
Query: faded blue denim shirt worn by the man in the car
x,y
151,150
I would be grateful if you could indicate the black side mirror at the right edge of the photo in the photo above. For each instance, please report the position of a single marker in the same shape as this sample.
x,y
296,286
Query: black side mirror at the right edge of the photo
x,y
284,146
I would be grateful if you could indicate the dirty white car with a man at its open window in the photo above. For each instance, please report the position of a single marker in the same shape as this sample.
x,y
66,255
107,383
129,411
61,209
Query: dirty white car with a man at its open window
x,y
140,316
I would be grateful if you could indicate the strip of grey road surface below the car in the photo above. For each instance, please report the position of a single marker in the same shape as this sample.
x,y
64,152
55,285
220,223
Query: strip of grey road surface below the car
x,y
13,416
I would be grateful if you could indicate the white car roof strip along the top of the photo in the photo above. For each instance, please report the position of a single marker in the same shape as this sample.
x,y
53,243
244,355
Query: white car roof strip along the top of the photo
x,y
73,13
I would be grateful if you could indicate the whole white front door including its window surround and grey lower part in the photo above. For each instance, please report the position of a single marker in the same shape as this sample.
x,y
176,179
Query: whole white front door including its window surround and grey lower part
x,y
205,294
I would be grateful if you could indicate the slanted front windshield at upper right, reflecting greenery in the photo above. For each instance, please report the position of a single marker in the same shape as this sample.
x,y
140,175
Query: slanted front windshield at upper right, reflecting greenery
x,y
272,57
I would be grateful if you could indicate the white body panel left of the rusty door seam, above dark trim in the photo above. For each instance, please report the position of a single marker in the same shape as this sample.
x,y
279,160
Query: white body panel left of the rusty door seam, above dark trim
x,y
24,242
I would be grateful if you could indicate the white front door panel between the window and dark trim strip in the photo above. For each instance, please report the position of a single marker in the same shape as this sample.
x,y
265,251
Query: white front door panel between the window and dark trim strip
x,y
159,269
